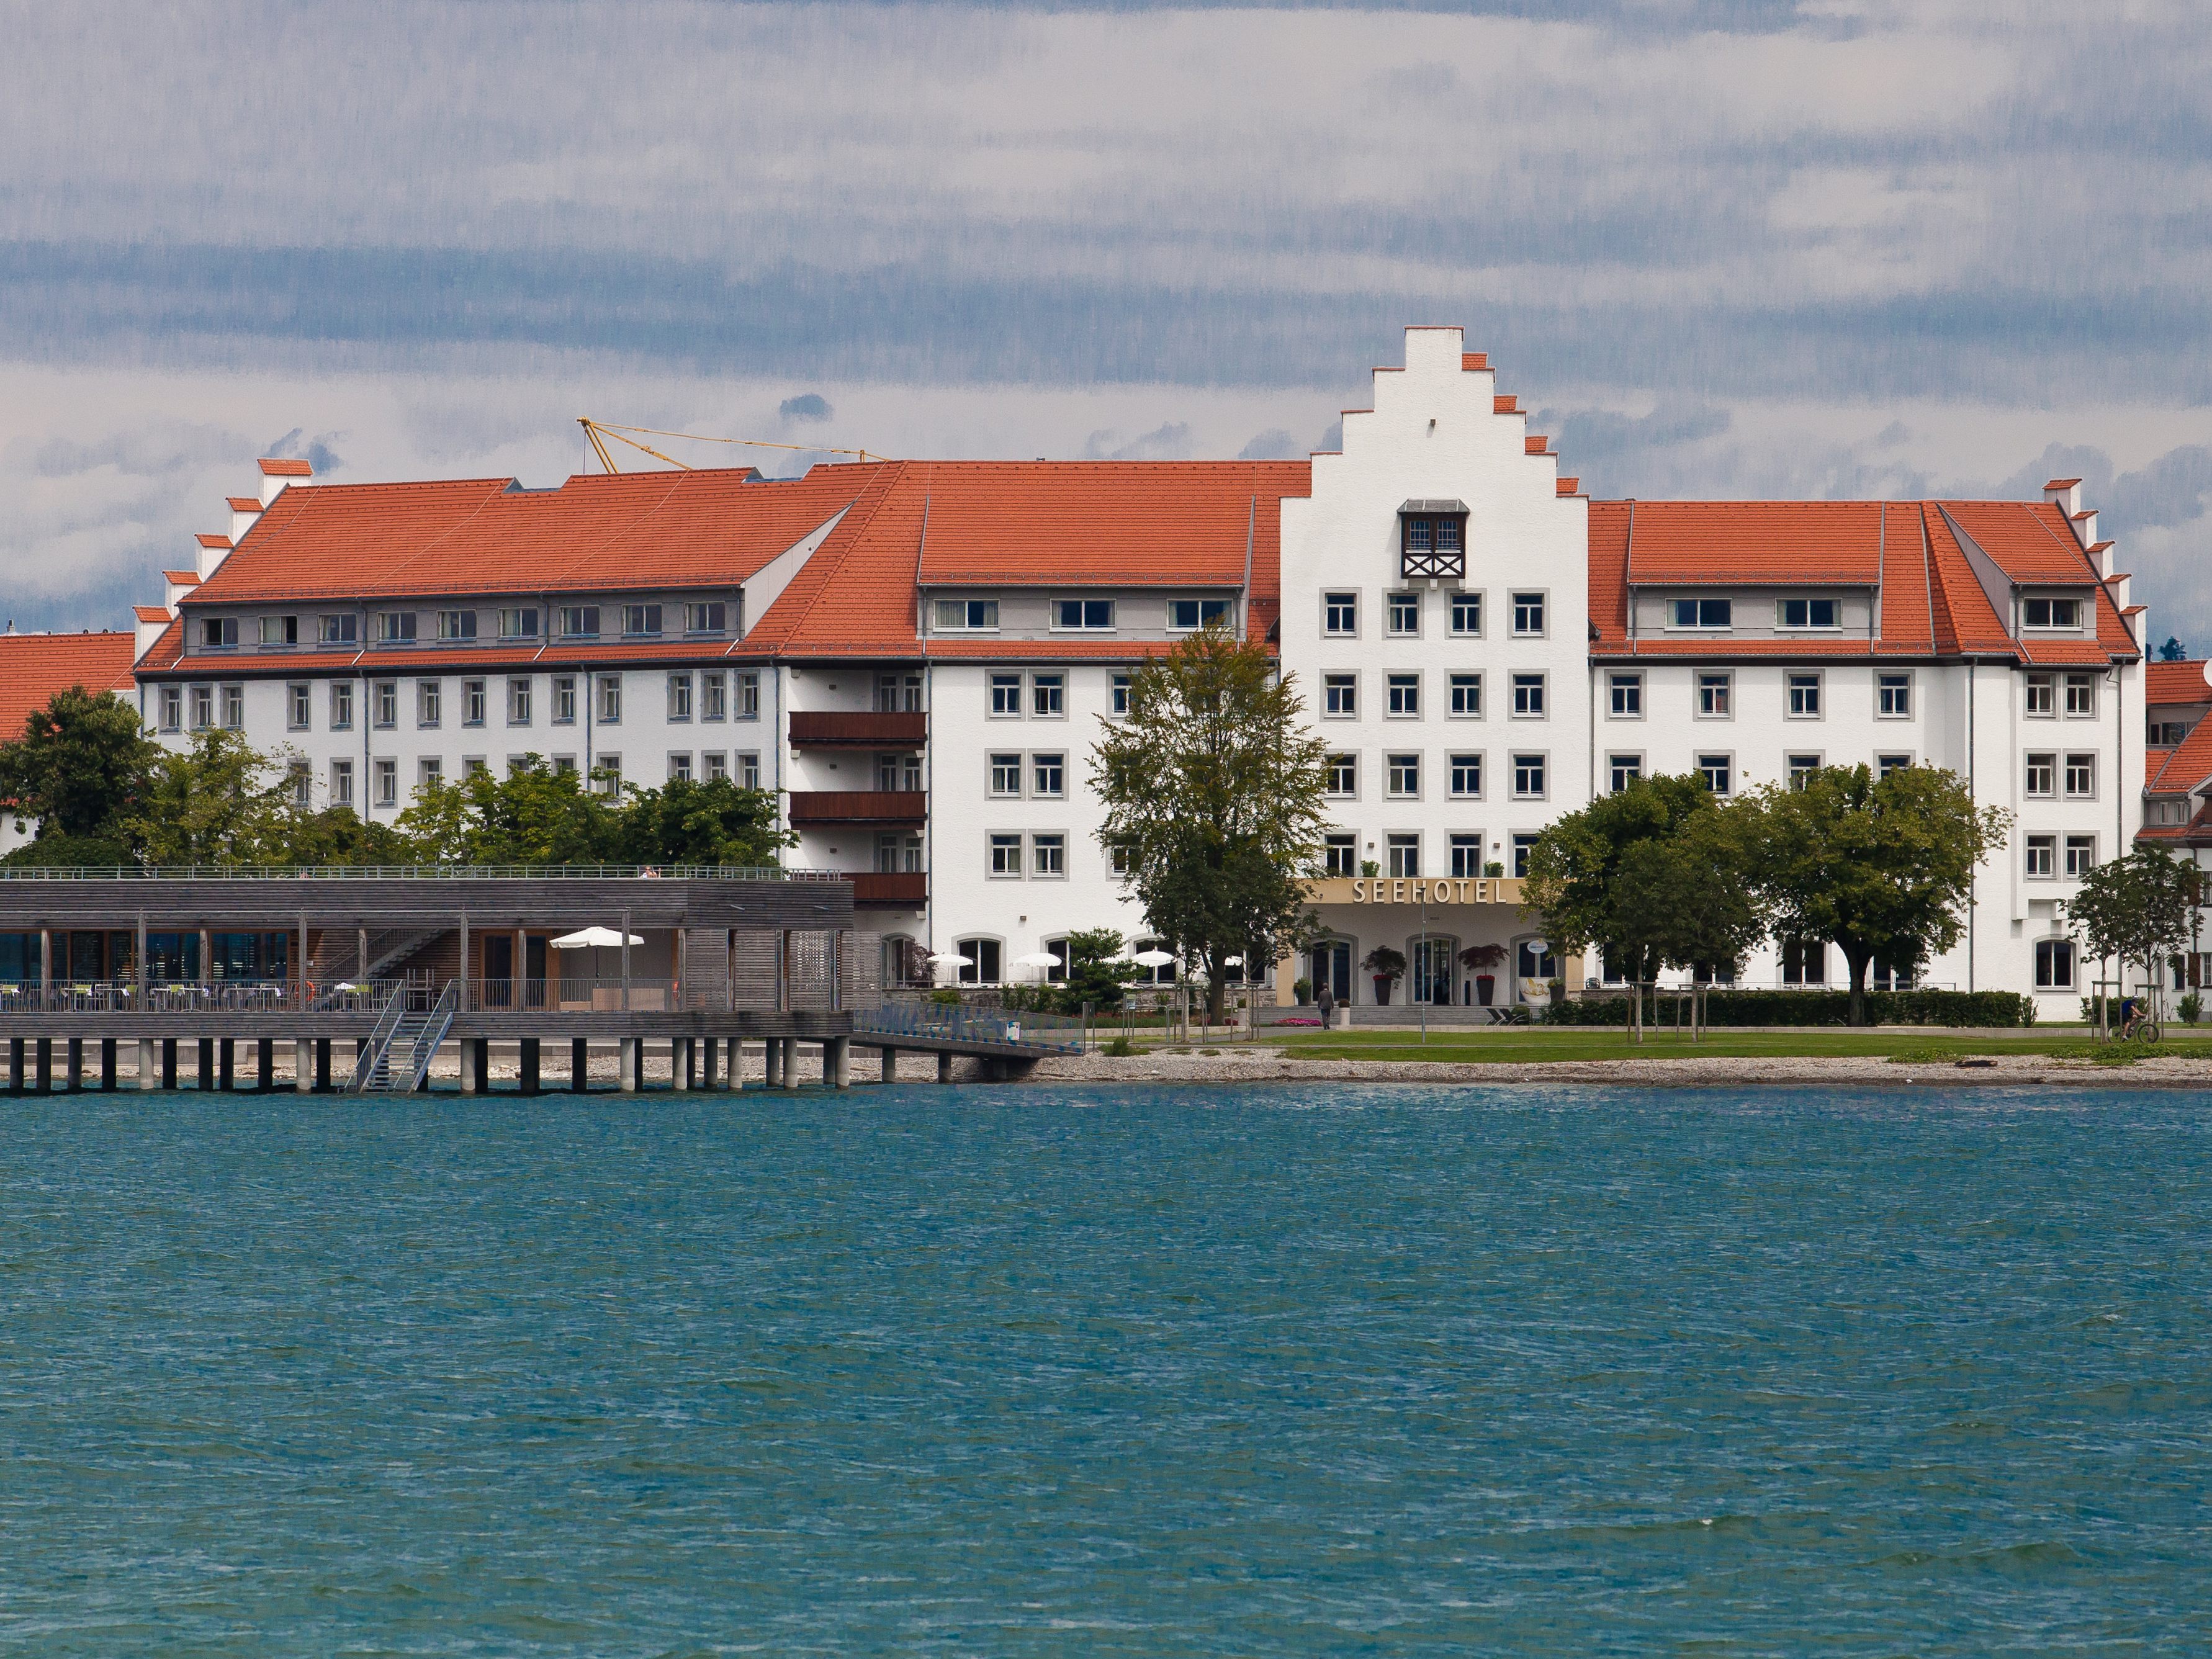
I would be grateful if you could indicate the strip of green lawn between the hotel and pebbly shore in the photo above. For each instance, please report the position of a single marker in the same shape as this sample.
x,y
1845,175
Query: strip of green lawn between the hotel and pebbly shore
x,y
1521,1045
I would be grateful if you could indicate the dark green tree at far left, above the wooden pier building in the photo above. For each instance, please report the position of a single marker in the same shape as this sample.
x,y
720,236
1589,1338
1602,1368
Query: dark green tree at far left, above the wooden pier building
x,y
79,771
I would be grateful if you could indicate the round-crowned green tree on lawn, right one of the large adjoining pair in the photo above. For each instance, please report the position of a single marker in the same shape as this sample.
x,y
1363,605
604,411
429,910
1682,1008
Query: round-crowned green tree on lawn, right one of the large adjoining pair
x,y
1879,866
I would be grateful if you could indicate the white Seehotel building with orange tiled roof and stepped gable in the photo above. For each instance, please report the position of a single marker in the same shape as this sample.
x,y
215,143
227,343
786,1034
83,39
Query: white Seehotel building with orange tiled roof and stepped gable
x,y
919,656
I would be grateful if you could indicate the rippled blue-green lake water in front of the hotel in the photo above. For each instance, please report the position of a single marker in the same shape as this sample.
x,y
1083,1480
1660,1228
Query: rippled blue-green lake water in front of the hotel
x,y
1107,1373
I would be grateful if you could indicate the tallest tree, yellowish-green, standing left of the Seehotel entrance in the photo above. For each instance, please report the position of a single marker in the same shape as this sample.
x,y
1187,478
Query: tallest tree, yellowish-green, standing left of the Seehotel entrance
x,y
1213,797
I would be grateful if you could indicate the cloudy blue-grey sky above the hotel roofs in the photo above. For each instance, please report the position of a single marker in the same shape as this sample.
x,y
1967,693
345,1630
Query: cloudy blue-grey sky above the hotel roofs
x,y
1724,247
